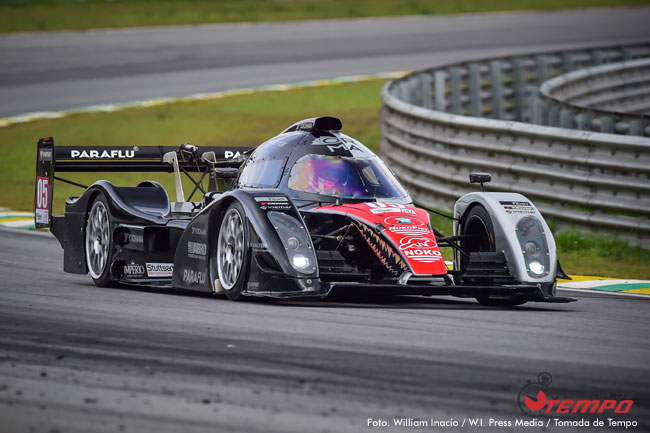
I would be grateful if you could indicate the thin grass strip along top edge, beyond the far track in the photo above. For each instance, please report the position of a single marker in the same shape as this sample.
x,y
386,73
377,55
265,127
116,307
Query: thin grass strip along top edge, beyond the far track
x,y
46,15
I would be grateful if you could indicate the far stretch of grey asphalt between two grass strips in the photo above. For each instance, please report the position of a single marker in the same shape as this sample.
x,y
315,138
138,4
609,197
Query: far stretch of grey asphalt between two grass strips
x,y
70,69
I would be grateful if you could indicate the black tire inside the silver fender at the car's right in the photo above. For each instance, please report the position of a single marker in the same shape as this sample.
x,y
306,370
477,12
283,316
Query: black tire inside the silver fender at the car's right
x,y
479,223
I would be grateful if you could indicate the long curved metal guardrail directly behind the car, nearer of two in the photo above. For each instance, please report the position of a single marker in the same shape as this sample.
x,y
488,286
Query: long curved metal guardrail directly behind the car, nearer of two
x,y
433,137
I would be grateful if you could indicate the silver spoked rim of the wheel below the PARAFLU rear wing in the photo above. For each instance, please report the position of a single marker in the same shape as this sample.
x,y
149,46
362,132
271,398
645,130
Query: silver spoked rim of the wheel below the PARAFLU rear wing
x,y
97,240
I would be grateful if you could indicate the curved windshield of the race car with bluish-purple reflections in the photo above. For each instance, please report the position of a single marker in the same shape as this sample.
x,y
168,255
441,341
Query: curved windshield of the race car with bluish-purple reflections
x,y
344,177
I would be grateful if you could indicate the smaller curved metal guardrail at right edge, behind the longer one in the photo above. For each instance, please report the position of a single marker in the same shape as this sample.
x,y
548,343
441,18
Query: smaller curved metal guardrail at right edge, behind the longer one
x,y
609,98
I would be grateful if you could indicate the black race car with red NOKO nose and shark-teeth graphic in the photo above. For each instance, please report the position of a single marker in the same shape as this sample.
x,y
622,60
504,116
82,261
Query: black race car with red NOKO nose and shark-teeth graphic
x,y
306,212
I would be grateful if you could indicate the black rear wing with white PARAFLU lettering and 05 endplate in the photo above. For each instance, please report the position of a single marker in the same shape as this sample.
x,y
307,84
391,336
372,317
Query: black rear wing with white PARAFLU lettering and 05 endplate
x,y
166,159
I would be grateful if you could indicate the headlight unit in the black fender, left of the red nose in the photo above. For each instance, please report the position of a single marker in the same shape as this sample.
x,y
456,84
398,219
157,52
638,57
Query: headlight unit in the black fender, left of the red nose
x,y
296,242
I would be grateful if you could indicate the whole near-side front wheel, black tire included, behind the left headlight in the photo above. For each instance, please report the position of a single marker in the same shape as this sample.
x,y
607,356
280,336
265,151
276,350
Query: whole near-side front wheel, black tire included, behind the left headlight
x,y
233,252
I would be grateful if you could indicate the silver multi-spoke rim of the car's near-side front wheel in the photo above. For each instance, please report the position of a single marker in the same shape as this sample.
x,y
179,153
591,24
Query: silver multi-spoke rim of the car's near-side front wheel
x,y
230,251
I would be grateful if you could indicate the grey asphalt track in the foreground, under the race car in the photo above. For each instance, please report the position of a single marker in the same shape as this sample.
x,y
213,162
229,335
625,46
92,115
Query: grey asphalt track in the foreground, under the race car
x,y
78,358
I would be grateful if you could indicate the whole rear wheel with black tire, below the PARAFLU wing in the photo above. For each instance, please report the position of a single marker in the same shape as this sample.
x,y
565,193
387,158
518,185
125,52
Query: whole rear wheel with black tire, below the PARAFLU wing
x,y
98,242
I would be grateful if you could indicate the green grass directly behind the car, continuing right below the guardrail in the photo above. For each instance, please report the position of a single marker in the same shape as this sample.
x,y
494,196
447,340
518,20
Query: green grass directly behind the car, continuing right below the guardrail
x,y
248,120
